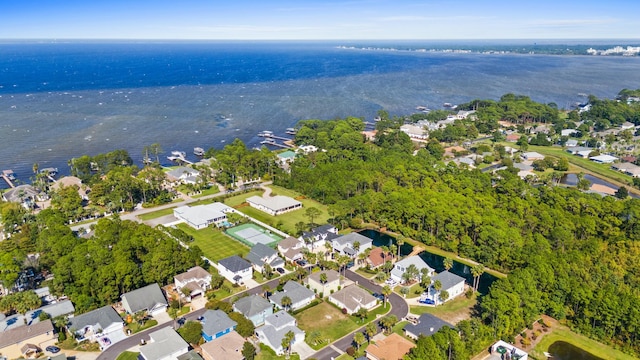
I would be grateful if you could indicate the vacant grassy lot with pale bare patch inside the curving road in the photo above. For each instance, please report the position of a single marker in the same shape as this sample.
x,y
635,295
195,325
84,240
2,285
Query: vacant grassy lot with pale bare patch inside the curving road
x,y
328,320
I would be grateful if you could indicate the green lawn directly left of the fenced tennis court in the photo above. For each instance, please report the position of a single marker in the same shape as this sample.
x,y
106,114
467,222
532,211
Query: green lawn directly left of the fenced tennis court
x,y
214,243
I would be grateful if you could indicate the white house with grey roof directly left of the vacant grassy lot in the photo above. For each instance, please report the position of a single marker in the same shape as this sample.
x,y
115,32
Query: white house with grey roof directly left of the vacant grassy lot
x,y
274,329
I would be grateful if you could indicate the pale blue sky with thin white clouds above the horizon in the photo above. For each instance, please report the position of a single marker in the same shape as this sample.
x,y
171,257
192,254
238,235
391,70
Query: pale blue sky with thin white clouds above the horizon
x,y
319,20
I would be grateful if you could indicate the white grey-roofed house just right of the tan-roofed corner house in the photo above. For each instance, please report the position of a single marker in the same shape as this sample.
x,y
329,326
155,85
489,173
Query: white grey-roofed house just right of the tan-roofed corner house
x,y
102,325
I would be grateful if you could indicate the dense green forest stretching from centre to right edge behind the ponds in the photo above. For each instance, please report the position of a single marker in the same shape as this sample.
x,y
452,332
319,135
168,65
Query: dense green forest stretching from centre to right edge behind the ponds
x,y
571,255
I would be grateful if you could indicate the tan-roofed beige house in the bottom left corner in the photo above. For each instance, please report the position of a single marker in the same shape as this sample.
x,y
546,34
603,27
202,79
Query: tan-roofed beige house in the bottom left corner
x,y
27,340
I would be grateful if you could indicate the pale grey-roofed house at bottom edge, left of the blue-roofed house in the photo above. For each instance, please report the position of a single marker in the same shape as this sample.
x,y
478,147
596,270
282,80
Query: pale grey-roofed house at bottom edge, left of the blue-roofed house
x,y
164,344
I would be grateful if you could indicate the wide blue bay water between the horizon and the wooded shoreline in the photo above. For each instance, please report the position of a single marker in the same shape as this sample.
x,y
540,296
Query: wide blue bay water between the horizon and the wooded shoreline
x,y
63,100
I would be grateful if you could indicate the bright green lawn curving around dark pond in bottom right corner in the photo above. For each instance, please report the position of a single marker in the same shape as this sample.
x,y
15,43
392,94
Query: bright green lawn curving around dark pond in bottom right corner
x,y
563,334
